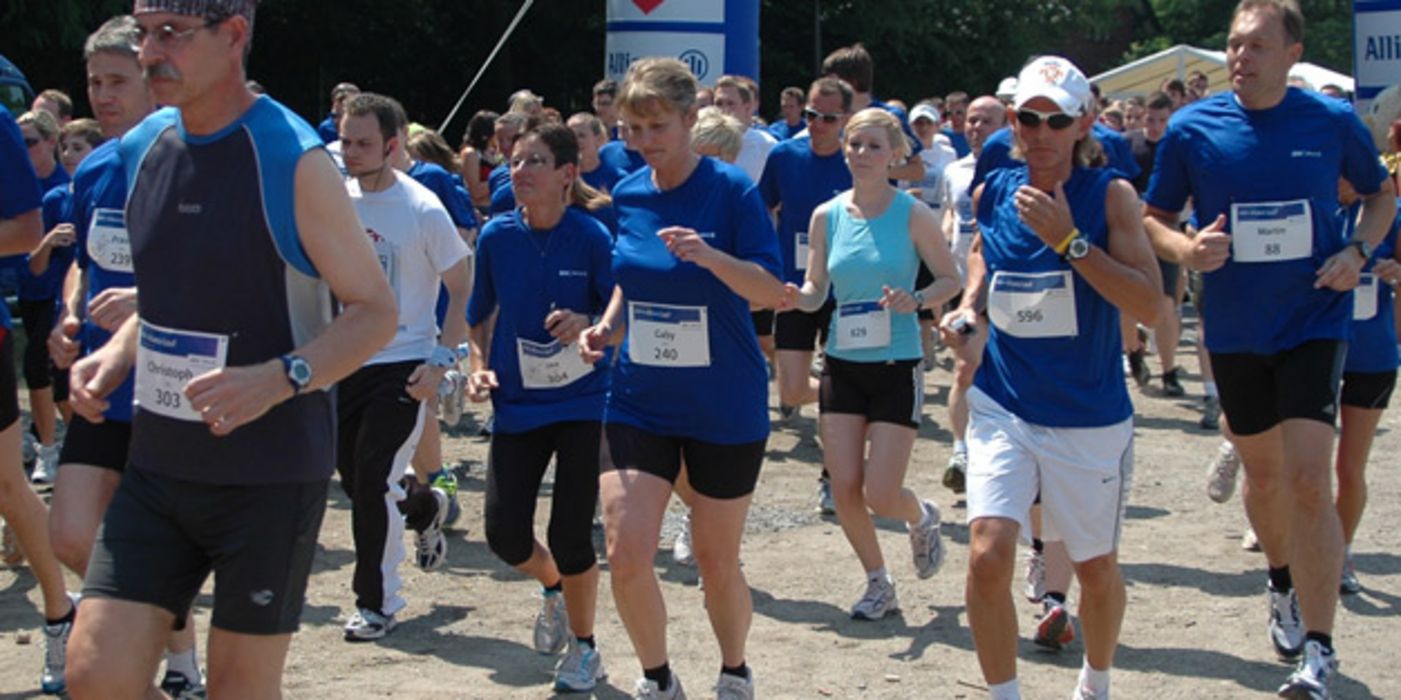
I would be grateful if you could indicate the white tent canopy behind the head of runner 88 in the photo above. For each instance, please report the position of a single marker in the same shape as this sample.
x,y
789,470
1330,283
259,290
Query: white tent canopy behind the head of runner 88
x,y
1144,76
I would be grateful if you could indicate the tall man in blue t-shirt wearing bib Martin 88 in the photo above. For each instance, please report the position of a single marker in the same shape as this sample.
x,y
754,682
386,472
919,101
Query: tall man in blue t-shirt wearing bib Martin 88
x,y
1262,164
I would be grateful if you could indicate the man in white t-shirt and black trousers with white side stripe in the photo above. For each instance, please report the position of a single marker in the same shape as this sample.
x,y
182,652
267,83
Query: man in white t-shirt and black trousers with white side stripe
x,y
382,407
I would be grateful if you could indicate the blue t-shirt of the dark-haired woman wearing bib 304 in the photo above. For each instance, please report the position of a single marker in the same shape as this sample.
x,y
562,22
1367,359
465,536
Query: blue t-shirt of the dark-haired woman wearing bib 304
x,y
525,275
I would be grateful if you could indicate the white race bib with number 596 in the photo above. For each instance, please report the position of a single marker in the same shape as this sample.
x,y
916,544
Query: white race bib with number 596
x,y
1033,304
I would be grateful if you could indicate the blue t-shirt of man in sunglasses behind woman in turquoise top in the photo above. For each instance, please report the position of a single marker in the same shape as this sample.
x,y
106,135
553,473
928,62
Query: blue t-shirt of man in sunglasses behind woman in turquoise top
x,y
796,180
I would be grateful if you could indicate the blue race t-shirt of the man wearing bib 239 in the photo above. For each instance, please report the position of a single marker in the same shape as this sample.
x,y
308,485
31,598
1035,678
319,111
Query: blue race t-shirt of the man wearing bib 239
x,y
103,250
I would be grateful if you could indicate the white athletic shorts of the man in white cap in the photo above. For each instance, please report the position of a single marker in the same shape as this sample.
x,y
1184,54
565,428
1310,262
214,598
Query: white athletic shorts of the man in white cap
x,y
1084,477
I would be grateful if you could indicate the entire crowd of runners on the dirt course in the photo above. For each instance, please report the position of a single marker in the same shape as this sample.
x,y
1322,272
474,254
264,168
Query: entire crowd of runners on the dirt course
x,y
198,268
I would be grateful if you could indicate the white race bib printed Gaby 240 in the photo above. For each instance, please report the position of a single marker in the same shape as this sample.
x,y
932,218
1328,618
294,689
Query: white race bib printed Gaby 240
x,y
665,335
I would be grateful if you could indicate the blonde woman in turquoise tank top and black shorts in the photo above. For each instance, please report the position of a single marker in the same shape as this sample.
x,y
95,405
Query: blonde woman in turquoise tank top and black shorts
x,y
874,240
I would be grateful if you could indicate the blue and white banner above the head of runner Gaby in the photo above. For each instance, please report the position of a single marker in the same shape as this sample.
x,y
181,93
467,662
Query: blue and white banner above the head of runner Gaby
x,y
712,37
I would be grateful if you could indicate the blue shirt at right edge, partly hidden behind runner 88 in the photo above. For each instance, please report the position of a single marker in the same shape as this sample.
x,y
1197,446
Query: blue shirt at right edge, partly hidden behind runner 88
x,y
1372,345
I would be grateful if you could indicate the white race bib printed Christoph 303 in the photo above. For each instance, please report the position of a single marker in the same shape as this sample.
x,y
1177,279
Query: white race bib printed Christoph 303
x,y
167,360
